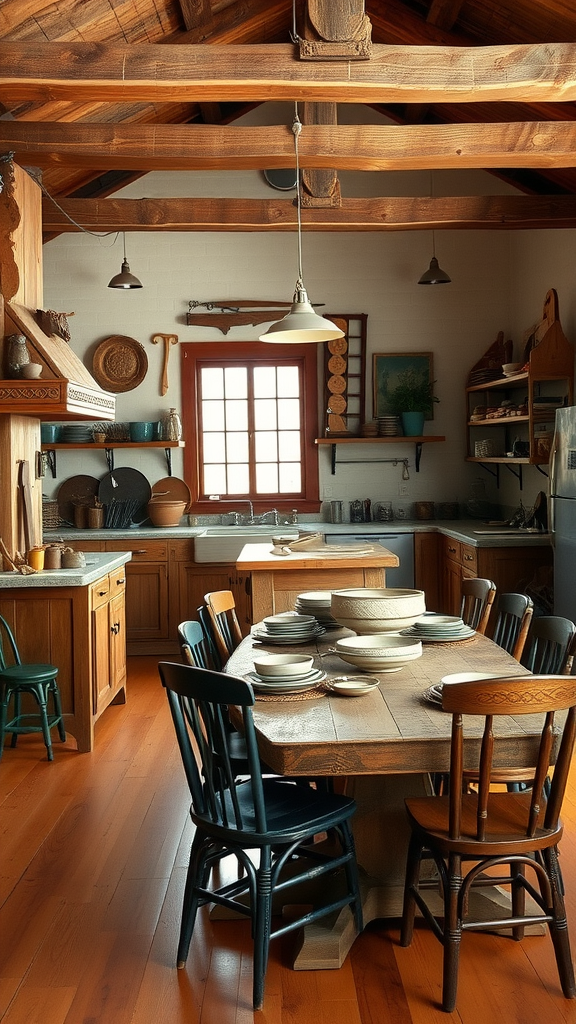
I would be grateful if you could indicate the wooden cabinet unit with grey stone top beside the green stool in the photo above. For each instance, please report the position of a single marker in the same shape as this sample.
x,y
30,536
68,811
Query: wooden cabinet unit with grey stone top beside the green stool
x,y
74,619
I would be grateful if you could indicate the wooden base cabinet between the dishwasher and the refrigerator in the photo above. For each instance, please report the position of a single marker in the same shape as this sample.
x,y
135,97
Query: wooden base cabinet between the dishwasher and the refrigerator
x,y
512,569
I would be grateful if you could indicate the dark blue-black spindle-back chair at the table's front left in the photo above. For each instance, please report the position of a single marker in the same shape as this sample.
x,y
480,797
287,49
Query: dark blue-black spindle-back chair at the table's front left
x,y
273,819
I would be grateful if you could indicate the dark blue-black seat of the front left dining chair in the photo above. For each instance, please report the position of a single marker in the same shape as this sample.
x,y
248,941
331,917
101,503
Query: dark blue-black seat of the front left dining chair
x,y
294,813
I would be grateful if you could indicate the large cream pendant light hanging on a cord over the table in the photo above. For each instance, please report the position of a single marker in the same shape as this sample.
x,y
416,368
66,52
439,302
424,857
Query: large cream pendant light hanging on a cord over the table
x,y
302,325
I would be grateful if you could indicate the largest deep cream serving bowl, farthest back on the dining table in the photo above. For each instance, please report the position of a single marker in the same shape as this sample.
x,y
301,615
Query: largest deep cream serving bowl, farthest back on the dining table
x,y
386,611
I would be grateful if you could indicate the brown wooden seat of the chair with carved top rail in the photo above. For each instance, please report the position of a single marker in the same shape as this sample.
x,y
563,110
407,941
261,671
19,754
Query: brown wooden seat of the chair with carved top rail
x,y
506,826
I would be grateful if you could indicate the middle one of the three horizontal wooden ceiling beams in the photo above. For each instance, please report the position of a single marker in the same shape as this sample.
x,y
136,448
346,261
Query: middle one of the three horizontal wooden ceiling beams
x,y
358,148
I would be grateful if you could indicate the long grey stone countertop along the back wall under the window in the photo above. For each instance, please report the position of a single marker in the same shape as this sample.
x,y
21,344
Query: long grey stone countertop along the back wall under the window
x,y
460,530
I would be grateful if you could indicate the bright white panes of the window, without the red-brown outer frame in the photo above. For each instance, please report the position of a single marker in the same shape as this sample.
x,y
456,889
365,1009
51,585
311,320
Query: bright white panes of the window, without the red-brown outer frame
x,y
252,440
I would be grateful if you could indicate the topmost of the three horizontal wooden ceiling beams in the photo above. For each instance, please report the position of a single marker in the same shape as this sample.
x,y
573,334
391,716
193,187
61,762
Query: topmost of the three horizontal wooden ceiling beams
x,y
218,74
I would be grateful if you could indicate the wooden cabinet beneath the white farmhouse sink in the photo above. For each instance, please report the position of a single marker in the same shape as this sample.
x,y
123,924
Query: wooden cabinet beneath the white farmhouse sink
x,y
190,581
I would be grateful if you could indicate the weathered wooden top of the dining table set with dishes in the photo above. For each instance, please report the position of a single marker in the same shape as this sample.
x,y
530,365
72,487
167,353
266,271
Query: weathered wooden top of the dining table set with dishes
x,y
389,731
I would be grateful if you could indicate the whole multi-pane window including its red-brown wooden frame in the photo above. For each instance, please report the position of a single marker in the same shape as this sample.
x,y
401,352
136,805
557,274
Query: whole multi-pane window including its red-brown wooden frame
x,y
251,416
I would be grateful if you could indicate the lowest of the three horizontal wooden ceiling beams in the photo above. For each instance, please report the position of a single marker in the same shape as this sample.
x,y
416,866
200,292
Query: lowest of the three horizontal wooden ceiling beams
x,y
386,215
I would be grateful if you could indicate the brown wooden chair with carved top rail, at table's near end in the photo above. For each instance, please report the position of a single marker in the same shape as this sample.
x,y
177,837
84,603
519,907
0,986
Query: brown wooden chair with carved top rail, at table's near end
x,y
515,835
